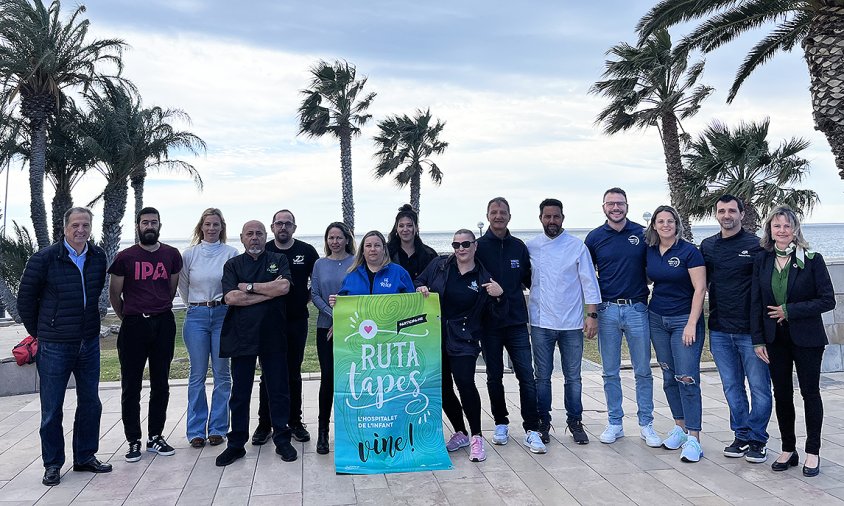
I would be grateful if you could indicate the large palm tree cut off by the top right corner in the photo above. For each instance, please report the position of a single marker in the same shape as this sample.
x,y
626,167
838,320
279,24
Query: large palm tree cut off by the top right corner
x,y
817,25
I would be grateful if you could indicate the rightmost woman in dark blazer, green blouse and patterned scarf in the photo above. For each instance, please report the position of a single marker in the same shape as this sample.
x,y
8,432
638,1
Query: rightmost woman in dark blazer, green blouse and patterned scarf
x,y
791,289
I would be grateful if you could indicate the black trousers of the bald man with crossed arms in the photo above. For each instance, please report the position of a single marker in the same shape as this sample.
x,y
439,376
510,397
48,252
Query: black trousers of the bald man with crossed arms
x,y
274,367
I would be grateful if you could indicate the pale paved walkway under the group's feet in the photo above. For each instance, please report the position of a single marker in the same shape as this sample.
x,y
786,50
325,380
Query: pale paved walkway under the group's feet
x,y
627,472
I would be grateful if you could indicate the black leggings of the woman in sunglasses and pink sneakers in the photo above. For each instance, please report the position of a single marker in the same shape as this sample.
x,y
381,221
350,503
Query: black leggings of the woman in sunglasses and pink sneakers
x,y
462,368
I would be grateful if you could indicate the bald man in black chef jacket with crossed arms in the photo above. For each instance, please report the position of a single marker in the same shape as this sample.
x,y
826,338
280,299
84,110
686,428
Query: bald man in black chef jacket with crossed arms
x,y
253,286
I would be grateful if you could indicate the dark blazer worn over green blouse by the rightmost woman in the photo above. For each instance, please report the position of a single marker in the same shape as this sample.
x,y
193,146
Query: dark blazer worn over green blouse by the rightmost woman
x,y
809,295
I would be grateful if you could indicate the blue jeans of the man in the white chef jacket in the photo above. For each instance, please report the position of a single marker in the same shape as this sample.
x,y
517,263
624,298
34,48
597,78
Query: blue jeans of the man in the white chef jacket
x,y
570,343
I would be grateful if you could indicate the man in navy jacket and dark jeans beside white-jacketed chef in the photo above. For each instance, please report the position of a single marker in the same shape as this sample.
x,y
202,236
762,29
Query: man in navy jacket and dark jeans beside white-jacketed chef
x,y
508,262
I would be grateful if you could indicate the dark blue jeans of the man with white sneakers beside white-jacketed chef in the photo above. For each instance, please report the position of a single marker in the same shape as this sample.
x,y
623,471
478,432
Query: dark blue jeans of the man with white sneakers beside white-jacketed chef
x,y
515,338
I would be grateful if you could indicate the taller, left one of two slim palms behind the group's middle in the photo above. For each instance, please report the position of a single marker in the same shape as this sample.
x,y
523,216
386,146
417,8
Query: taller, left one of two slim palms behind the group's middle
x,y
335,103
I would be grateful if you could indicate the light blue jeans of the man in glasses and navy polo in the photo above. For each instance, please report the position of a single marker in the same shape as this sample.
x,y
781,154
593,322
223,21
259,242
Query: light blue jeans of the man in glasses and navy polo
x,y
631,321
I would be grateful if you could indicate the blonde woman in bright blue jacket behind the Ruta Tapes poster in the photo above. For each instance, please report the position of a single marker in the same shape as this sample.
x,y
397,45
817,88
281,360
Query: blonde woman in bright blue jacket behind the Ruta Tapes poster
x,y
372,273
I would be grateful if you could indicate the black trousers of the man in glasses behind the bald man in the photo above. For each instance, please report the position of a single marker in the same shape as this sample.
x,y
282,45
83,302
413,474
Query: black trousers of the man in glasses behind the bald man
x,y
297,337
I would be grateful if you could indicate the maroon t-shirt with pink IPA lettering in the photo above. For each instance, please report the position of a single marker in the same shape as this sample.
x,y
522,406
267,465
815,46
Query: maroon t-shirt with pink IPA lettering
x,y
146,278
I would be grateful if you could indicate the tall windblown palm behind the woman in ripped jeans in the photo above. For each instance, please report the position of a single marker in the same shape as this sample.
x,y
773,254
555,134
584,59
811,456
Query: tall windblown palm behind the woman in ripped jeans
x,y
652,85
